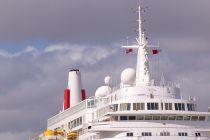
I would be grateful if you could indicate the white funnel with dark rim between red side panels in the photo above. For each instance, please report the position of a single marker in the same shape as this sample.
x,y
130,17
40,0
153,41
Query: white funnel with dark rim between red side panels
x,y
75,86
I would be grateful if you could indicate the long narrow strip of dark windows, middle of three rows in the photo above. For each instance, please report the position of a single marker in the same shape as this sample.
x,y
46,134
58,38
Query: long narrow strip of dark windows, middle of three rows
x,y
155,117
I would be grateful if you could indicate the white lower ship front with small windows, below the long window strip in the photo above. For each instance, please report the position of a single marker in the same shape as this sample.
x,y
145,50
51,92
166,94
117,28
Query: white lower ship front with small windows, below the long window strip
x,y
120,131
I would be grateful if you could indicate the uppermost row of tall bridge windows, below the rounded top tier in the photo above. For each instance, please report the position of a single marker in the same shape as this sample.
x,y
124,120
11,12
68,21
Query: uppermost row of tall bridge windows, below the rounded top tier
x,y
153,106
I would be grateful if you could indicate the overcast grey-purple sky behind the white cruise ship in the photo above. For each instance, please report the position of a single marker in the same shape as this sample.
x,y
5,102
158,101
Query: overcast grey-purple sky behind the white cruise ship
x,y
40,40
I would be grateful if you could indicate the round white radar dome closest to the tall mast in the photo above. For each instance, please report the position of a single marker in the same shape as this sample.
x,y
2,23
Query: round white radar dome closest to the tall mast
x,y
128,76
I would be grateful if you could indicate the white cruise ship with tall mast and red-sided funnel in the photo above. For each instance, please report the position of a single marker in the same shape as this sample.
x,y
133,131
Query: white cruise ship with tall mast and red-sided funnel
x,y
140,108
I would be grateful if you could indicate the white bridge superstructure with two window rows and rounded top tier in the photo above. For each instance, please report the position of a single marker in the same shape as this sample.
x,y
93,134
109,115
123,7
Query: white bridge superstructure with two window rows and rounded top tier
x,y
145,102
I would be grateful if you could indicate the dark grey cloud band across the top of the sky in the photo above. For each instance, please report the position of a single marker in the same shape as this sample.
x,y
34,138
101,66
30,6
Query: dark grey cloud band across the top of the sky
x,y
99,22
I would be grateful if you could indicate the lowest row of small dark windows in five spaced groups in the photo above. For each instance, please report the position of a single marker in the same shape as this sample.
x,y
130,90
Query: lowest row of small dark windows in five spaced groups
x,y
130,134
